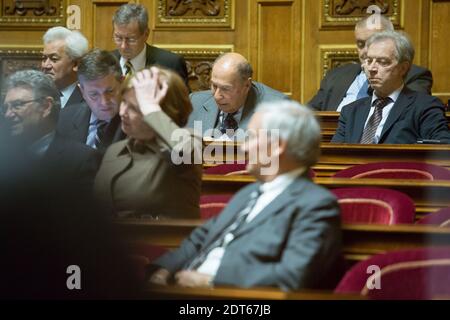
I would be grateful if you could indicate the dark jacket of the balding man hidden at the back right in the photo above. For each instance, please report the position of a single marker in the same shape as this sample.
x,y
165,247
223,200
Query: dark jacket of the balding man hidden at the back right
x,y
334,86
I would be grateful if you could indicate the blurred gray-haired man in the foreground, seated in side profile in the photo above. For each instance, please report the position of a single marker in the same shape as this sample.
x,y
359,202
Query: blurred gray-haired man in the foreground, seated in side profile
x,y
282,231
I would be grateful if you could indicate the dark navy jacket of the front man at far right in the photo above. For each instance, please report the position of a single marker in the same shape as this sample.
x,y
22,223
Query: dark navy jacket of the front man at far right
x,y
415,115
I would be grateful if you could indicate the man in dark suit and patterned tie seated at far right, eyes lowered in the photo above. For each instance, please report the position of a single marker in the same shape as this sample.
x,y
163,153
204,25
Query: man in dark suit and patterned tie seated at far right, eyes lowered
x,y
394,114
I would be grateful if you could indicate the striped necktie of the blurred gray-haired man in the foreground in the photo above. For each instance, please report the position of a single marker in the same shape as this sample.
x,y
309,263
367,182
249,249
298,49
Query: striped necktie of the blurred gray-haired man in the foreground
x,y
227,234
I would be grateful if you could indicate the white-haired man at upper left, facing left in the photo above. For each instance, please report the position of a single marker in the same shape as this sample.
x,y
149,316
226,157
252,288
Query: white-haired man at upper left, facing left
x,y
63,49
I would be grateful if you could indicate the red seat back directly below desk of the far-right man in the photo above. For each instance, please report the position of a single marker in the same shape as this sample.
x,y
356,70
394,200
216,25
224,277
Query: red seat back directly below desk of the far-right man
x,y
395,170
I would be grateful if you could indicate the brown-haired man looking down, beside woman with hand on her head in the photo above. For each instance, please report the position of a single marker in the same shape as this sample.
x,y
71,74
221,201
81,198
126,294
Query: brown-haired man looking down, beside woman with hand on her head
x,y
95,122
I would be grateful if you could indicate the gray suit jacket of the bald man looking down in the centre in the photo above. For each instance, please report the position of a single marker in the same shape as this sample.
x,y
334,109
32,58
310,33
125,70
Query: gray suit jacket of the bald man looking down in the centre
x,y
207,111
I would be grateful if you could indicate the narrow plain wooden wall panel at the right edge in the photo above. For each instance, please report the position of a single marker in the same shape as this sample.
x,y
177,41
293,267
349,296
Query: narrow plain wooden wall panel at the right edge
x,y
439,49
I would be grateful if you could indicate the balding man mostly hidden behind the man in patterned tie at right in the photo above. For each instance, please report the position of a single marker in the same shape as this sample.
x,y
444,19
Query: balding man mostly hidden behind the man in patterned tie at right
x,y
348,83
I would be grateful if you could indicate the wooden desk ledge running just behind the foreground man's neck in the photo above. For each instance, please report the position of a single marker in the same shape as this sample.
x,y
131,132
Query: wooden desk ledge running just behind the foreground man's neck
x,y
428,196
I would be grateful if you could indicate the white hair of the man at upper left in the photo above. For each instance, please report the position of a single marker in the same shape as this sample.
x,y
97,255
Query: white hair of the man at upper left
x,y
76,44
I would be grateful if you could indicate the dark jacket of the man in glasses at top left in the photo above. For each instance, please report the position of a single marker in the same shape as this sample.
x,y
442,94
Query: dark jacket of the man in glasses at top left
x,y
164,58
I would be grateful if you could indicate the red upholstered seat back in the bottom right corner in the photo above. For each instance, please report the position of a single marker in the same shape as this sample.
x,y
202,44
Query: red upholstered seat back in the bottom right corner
x,y
407,274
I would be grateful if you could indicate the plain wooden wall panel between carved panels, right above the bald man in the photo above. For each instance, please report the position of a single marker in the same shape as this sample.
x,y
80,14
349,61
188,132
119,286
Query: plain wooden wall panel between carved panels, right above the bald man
x,y
275,39
